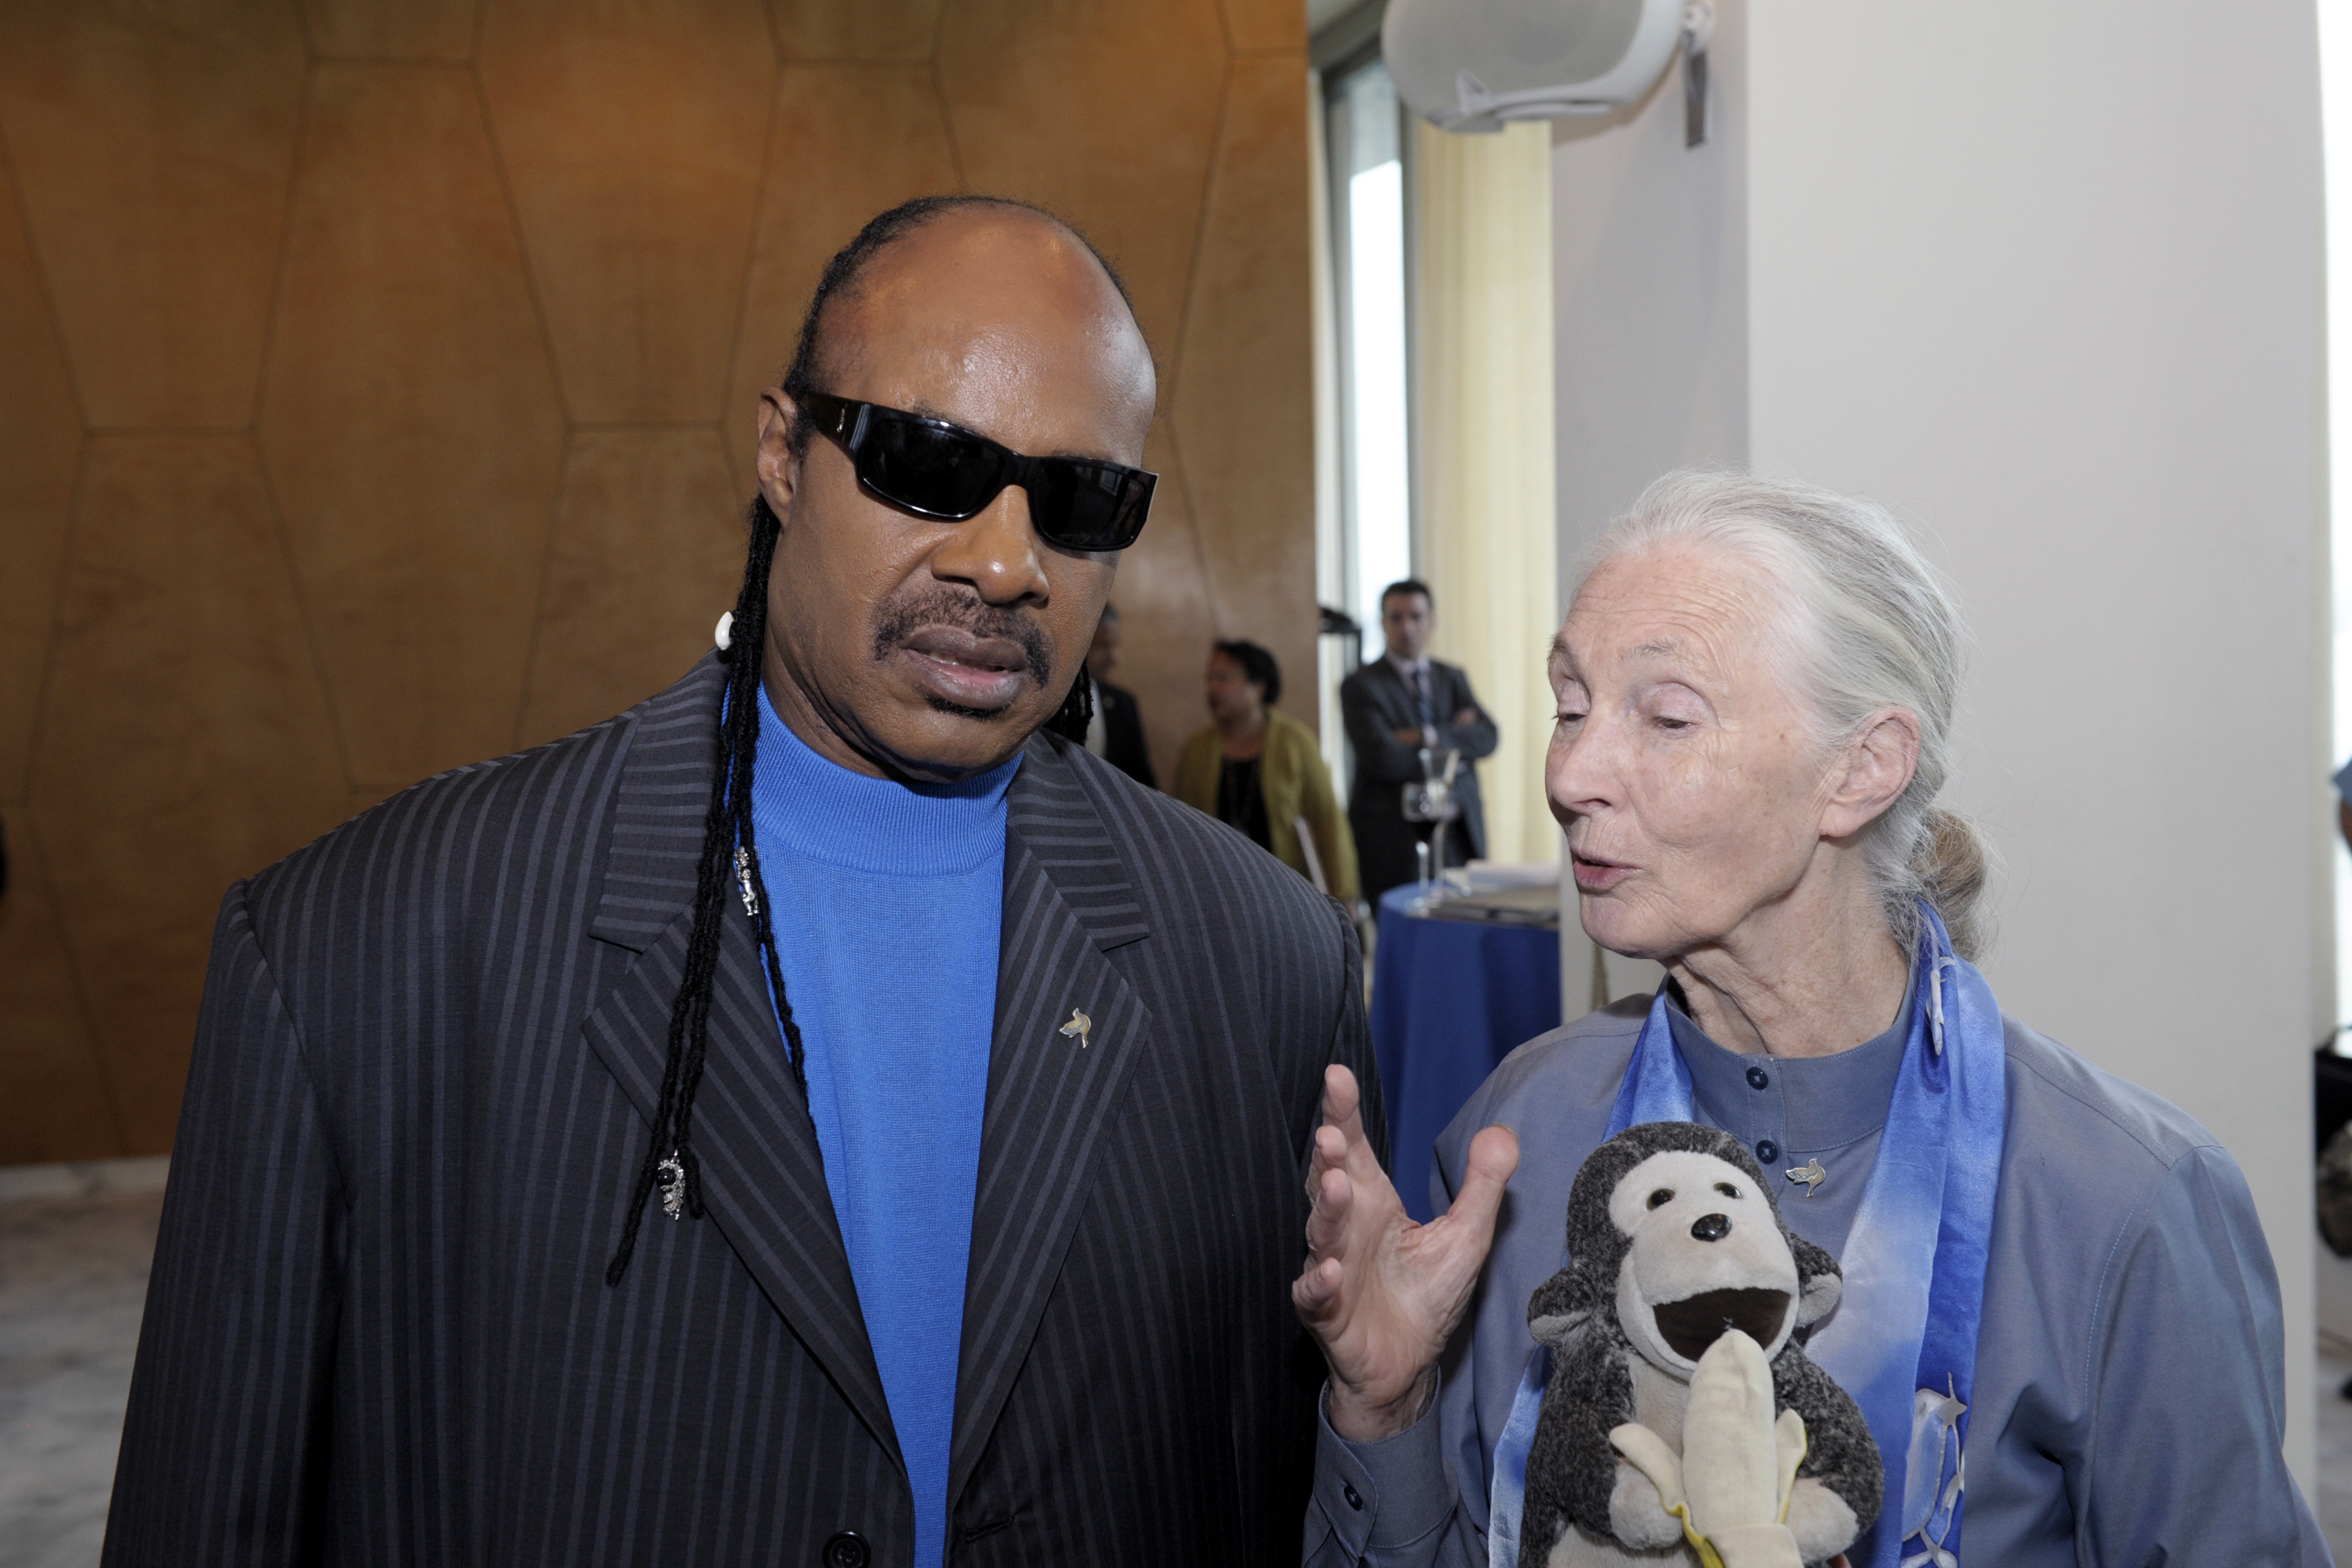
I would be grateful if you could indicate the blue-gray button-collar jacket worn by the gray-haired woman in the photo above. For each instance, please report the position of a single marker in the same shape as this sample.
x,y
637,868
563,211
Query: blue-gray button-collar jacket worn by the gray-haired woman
x,y
2130,1372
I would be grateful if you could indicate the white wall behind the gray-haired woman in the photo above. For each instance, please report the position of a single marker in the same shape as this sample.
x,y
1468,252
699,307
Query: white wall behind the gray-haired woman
x,y
2047,279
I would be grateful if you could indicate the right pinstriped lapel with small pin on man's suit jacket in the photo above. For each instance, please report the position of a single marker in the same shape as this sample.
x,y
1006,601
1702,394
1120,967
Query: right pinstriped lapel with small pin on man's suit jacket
x,y
1053,1097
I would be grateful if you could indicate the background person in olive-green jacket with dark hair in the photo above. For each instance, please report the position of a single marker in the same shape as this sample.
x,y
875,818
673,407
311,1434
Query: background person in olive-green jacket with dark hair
x,y
1264,775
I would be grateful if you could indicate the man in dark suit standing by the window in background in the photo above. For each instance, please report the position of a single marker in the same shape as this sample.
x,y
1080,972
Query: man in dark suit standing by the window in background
x,y
1401,706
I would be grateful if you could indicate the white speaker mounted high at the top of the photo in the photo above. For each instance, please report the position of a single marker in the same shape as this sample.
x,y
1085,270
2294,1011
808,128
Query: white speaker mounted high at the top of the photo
x,y
1474,65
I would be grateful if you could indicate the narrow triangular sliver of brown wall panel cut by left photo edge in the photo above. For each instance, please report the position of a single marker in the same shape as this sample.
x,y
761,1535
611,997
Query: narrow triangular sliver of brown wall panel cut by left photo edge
x,y
39,450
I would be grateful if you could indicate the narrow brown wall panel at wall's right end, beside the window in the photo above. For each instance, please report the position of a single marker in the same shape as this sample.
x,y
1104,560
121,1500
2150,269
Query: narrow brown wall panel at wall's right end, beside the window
x,y
1250,460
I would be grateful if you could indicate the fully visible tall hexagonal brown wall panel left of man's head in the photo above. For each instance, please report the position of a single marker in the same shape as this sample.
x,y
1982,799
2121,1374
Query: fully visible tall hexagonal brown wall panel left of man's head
x,y
410,420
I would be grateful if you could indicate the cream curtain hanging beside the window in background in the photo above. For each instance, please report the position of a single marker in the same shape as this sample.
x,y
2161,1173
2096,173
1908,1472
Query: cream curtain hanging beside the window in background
x,y
1483,391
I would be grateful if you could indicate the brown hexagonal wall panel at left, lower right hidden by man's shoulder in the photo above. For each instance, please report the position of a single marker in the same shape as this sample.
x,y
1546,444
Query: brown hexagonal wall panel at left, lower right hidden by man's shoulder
x,y
185,739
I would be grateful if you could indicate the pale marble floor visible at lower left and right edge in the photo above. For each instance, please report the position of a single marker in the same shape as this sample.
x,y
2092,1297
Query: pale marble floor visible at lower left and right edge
x,y
74,1257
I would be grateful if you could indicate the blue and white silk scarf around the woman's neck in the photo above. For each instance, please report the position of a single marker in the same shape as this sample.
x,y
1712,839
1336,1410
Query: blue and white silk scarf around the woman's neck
x,y
1904,1334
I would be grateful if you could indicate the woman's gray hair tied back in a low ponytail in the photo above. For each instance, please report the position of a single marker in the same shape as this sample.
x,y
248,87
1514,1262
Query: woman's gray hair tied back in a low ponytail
x,y
1871,624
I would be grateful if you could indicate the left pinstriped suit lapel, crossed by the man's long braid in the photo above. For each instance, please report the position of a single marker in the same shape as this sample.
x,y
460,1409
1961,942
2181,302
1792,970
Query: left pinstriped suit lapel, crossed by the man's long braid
x,y
763,1174
